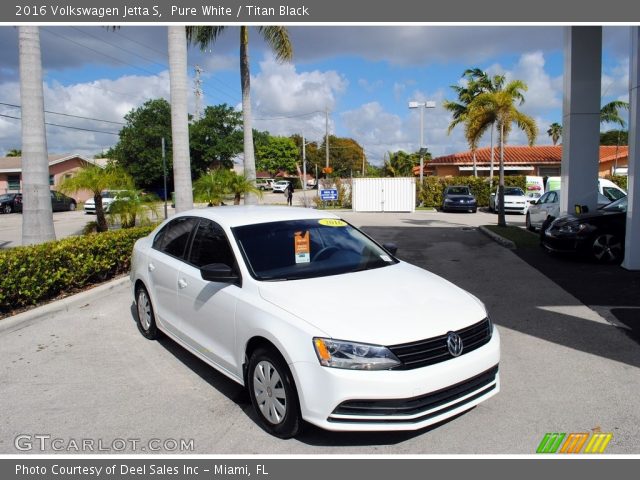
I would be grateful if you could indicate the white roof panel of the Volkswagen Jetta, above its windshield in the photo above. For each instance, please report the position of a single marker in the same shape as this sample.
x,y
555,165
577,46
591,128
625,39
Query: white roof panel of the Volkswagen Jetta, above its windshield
x,y
238,215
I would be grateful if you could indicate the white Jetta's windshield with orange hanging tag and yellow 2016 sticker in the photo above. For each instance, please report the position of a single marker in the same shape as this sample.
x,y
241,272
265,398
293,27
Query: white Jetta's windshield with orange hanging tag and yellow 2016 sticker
x,y
312,248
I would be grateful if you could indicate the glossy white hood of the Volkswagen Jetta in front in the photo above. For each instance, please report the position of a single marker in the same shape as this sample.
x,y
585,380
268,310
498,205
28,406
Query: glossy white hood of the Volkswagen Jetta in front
x,y
385,306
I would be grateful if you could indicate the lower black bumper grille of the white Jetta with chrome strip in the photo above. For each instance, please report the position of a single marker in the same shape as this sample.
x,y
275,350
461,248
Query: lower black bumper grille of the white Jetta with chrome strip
x,y
429,404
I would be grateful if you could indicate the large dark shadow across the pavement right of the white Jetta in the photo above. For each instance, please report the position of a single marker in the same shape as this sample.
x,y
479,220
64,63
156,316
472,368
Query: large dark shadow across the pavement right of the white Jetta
x,y
517,298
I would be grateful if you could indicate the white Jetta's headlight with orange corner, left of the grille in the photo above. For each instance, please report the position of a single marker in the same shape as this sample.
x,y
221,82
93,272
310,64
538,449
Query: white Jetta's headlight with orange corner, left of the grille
x,y
353,356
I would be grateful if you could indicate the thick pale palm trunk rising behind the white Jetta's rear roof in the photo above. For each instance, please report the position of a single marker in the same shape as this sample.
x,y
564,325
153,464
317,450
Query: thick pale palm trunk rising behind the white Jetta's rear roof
x,y
179,117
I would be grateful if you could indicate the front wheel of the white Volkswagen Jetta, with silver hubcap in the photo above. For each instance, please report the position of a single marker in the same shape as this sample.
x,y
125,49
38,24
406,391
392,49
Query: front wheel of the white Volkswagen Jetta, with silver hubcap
x,y
273,393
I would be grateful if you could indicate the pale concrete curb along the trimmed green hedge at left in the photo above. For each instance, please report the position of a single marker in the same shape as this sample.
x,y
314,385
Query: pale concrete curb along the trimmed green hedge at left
x,y
63,304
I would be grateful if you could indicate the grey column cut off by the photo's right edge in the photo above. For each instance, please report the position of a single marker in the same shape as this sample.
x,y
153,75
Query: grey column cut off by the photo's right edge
x,y
632,240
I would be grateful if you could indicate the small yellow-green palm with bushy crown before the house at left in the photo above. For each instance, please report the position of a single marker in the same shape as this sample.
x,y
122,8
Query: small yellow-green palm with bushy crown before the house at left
x,y
96,180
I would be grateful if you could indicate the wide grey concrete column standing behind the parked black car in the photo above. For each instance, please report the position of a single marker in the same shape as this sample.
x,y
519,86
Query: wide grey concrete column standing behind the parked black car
x,y
581,117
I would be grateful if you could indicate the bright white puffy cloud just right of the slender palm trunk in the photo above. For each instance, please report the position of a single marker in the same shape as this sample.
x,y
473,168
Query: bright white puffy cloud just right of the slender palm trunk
x,y
286,101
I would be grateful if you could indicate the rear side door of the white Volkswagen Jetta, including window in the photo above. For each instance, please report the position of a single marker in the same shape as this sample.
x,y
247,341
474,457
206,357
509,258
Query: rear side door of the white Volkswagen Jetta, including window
x,y
164,261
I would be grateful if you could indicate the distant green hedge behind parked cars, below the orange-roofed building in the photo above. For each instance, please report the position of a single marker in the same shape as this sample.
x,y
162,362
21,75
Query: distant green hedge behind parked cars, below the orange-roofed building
x,y
431,195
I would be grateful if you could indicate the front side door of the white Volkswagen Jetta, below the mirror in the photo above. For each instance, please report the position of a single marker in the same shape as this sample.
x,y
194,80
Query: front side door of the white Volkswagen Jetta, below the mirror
x,y
208,308
